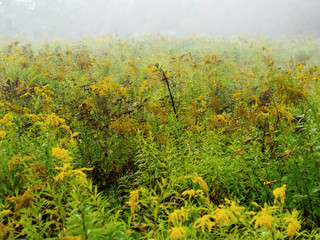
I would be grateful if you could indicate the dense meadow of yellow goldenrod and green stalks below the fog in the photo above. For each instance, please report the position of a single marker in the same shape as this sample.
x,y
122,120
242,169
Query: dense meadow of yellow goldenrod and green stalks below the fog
x,y
160,138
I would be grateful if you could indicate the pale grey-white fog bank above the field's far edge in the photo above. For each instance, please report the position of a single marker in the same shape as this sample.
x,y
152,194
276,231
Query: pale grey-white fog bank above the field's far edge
x,y
77,18
